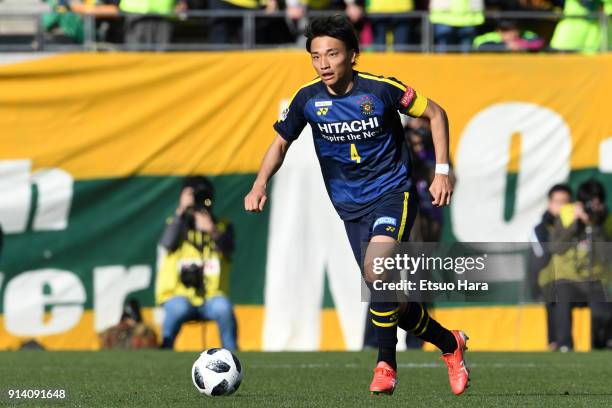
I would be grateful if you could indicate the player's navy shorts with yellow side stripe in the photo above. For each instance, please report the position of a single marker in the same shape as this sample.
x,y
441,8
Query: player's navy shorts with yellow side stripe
x,y
393,217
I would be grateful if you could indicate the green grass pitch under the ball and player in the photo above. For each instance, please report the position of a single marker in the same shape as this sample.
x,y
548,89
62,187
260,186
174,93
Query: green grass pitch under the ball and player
x,y
162,379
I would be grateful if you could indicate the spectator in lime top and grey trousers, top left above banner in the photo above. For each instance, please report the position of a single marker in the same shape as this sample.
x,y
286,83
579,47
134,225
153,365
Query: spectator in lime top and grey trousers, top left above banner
x,y
147,23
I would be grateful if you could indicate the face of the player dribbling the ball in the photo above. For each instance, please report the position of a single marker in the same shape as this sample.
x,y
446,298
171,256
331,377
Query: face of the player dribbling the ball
x,y
332,61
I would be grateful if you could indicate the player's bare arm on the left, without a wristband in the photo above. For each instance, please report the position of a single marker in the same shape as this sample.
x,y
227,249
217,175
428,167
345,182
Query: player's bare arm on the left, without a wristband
x,y
273,159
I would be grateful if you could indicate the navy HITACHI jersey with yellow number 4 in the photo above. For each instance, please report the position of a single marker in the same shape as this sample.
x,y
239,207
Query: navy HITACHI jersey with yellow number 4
x,y
358,138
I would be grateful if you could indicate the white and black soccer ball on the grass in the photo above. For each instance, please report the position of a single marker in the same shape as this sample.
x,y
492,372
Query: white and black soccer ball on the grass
x,y
217,371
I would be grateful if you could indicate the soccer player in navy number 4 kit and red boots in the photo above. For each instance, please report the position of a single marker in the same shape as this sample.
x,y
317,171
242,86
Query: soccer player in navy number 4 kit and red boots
x,y
365,163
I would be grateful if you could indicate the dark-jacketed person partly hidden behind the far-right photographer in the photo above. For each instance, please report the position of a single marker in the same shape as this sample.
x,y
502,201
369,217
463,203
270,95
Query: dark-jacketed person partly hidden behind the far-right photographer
x,y
539,256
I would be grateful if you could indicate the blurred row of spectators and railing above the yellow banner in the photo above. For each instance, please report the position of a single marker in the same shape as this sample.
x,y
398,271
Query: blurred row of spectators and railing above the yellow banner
x,y
492,26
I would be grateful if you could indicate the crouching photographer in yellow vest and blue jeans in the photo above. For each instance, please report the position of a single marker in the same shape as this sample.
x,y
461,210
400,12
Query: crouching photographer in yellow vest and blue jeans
x,y
193,278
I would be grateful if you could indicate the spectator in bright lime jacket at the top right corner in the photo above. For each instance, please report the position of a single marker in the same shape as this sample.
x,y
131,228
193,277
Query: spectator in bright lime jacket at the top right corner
x,y
579,31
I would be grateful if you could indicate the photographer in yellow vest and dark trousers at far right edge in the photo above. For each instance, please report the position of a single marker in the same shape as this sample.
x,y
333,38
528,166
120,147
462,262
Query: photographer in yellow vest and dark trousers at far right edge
x,y
579,268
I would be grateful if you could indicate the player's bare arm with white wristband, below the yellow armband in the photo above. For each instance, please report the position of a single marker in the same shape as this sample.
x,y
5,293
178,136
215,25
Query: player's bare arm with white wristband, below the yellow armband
x,y
441,187
